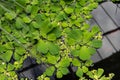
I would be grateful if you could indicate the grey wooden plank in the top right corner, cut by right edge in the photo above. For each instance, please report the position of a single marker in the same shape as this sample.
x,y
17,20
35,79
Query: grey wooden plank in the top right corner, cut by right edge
x,y
113,11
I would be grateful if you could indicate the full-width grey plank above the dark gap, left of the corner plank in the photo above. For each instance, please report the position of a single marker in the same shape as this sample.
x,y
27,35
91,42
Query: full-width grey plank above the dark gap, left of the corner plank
x,y
103,19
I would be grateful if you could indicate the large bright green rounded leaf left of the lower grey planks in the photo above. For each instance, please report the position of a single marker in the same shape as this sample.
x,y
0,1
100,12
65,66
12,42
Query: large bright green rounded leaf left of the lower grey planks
x,y
84,53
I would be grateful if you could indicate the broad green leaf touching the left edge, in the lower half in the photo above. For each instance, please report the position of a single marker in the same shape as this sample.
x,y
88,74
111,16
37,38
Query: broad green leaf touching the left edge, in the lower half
x,y
6,56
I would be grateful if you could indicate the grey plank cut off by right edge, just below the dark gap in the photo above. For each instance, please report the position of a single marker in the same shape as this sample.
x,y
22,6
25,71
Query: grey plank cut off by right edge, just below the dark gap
x,y
115,39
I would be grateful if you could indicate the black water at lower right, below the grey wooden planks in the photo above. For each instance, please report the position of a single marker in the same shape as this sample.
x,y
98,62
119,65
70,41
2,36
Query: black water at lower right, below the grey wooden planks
x,y
110,65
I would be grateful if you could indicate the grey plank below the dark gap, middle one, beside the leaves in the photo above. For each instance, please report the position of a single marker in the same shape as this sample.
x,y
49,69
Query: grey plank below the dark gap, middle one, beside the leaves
x,y
106,49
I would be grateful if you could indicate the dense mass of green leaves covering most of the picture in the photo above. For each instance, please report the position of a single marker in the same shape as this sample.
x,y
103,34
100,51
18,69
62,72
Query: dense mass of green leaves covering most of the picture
x,y
54,32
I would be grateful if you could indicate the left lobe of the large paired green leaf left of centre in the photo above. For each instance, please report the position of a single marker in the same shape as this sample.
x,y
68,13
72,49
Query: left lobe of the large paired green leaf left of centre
x,y
42,47
